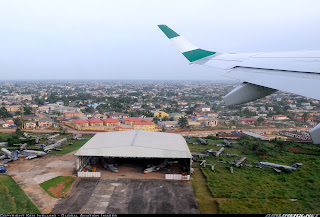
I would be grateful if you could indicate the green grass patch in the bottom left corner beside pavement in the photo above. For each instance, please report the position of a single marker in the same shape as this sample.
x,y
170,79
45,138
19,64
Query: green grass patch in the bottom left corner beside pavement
x,y
13,200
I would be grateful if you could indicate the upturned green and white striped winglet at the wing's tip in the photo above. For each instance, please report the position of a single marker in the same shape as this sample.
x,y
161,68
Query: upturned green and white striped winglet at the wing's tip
x,y
189,51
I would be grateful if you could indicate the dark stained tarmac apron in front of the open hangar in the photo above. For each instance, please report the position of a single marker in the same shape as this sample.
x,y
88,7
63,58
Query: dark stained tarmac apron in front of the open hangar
x,y
99,196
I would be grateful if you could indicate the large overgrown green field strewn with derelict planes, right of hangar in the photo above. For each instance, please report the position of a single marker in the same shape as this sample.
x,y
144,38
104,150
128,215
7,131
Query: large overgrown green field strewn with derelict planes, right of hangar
x,y
255,190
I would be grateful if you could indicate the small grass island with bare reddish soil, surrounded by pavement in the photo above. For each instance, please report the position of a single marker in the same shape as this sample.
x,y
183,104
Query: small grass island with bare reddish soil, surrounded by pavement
x,y
58,186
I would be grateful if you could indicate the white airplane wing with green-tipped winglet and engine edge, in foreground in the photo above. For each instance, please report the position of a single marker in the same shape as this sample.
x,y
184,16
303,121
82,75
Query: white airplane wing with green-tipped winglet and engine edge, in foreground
x,y
261,74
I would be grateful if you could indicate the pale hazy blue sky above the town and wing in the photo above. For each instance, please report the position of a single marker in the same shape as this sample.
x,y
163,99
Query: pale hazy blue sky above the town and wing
x,y
108,39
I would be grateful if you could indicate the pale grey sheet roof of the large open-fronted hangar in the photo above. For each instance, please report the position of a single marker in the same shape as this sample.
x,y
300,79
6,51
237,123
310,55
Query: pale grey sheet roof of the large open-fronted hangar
x,y
136,143
